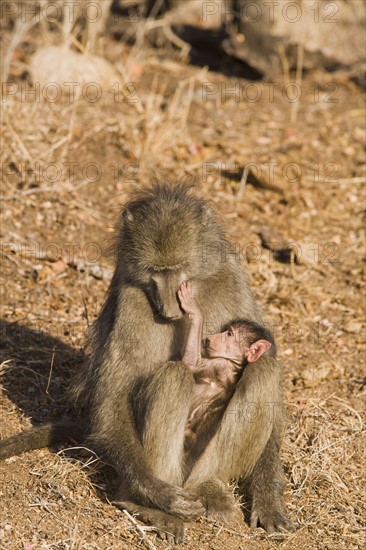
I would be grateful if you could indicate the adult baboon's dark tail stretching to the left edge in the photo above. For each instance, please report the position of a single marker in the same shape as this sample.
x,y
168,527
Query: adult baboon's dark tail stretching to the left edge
x,y
42,436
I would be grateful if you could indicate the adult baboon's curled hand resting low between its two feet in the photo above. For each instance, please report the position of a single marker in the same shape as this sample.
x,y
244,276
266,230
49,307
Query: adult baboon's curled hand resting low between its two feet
x,y
181,503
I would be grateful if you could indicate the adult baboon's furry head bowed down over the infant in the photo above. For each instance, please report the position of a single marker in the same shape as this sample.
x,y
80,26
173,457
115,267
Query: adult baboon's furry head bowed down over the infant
x,y
166,240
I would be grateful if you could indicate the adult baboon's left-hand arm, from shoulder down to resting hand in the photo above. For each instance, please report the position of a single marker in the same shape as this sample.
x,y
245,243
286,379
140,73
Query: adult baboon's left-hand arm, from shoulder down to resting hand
x,y
146,345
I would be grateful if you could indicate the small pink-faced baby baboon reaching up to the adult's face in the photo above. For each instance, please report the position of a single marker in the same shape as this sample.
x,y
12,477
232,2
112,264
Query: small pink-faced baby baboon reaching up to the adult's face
x,y
227,353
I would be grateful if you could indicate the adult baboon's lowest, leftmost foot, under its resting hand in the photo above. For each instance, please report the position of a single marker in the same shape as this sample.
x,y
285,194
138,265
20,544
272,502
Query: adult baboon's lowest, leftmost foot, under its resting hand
x,y
168,527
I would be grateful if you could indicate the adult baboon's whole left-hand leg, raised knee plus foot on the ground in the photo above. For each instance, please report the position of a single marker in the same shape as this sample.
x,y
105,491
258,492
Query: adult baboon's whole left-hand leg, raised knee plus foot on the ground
x,y
161,409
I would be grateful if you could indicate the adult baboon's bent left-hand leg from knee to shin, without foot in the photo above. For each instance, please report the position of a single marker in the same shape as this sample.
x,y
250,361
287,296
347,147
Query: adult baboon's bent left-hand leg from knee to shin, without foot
x,y
165,403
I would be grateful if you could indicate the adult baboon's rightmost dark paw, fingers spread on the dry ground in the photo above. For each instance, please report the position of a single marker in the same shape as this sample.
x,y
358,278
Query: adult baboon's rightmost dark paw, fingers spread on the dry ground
x,y
272,516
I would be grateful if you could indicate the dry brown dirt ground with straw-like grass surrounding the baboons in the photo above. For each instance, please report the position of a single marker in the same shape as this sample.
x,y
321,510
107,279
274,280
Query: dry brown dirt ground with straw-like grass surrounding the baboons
x,y
68,166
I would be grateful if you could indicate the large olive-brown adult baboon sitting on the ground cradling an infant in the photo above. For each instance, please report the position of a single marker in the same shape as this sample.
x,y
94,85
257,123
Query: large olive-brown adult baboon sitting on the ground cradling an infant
x,y
137,394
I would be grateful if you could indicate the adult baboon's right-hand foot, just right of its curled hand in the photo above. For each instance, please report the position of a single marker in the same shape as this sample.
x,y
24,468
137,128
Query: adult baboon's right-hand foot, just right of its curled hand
x,y
220,503
